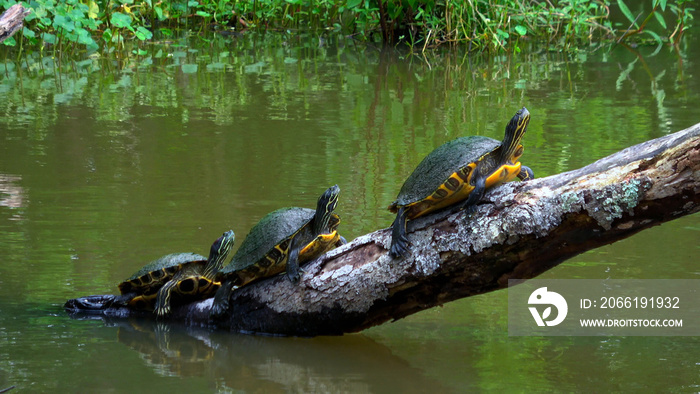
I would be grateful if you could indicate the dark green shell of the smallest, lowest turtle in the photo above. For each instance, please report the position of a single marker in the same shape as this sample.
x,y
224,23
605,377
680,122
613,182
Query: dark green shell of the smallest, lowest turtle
x,y
159,271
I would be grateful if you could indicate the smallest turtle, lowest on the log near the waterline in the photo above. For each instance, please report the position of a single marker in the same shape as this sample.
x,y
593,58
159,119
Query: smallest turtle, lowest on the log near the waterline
x,y
190,276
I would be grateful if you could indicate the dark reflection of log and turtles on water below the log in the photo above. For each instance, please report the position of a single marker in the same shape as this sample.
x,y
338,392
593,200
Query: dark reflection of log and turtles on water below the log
x,y
352,363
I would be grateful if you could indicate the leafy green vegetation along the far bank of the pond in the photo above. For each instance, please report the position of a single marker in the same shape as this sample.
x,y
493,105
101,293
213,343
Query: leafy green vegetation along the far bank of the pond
x,y
487,25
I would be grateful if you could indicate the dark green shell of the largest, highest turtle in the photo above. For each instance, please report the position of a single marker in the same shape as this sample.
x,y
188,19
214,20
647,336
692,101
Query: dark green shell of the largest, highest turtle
x,y
434,170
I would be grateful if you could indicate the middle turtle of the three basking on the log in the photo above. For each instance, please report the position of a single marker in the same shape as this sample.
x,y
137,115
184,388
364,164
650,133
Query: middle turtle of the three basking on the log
x,y
280,242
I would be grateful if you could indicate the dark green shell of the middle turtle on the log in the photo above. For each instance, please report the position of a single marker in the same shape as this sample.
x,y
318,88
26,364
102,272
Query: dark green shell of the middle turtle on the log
x,y
275,228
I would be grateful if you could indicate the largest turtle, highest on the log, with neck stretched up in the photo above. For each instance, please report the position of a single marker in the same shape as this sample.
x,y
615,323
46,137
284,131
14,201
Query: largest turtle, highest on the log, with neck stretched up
x,y
459,171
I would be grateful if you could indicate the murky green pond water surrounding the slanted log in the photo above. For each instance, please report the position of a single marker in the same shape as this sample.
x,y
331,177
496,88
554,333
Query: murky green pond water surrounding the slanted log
x,y
105,166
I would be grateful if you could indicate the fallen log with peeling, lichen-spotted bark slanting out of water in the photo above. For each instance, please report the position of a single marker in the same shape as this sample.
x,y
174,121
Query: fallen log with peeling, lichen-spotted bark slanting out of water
x,y
518,231
